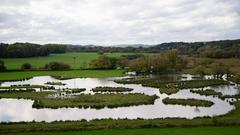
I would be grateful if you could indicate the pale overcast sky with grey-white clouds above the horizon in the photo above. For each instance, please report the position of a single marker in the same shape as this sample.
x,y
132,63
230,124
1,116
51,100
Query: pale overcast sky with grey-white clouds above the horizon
x,y
106,22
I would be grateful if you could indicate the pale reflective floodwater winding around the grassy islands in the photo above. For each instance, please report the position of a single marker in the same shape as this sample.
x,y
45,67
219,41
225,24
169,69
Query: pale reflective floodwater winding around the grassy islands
x,y
14,110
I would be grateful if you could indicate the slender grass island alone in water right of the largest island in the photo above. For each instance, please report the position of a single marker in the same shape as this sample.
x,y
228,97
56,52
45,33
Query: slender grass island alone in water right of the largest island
x,y
190,102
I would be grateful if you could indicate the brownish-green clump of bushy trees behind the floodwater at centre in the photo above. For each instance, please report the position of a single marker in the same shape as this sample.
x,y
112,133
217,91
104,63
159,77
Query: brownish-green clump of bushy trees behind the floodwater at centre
x,y
164,62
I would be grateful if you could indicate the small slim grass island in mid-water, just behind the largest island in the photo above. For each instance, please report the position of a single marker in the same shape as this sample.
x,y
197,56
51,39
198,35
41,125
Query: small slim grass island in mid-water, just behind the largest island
x,y
111,89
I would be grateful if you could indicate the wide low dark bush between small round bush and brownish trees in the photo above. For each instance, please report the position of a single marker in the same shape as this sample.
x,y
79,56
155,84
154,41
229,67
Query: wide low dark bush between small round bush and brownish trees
x,y
57,66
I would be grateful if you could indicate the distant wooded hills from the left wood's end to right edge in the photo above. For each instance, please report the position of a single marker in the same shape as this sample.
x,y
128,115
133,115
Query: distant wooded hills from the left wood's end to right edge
x,y
211,49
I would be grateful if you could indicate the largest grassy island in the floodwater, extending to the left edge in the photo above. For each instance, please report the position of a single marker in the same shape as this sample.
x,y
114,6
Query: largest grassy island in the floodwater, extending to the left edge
x,y
41,99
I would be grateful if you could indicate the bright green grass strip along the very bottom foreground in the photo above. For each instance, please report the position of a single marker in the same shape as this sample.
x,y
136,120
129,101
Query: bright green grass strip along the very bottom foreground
x,y
152,131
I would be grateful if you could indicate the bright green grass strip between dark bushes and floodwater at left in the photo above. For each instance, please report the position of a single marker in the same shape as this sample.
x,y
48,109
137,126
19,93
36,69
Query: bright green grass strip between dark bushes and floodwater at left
x,y
64,74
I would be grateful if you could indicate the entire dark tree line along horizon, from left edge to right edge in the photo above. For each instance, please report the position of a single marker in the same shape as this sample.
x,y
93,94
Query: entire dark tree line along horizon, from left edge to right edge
x,y
211,49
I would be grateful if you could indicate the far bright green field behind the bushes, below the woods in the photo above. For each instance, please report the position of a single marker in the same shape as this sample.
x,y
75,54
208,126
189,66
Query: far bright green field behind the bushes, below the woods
x,y
81,60
